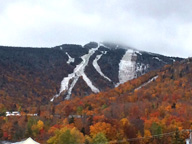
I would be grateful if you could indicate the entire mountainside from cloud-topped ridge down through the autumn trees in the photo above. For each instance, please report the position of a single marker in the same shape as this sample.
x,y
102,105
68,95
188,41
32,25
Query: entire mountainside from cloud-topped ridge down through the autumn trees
x,y
153,108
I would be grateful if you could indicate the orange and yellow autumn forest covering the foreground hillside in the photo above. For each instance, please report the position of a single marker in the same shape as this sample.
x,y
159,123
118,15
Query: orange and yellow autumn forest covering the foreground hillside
x,y
157,113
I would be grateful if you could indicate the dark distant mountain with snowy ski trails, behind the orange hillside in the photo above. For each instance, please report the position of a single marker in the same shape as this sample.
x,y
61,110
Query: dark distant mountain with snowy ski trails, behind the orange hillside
x,y
41,75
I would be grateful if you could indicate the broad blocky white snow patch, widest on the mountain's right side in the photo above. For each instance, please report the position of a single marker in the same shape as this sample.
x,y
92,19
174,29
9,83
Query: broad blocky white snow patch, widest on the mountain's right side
x,y
127,67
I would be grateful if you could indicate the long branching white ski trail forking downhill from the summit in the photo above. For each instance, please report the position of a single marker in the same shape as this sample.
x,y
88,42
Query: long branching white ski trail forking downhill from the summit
x,y
66,85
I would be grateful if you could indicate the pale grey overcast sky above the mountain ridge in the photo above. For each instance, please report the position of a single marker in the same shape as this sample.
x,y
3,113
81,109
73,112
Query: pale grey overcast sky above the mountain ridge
x,y
160,26
